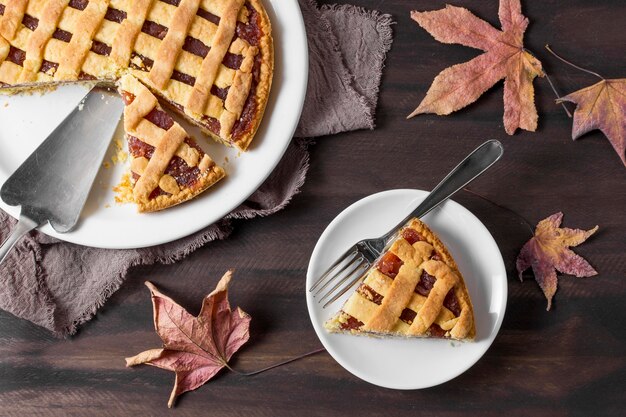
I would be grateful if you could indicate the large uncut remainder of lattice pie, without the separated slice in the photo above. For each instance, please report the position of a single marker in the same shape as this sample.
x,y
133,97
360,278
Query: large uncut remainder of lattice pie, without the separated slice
x,y
212,60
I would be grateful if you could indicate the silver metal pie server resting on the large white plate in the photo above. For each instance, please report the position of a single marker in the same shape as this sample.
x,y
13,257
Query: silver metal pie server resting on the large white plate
x,y
52,185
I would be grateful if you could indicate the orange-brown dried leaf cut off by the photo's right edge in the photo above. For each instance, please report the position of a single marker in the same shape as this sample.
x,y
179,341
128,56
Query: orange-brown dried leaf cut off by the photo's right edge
x,y
602,106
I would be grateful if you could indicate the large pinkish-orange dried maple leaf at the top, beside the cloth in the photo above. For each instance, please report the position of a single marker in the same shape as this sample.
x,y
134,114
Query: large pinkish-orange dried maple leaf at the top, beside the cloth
x,y
504,57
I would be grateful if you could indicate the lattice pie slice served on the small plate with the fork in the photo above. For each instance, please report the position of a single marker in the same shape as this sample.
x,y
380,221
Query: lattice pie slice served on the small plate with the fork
x,y
414,290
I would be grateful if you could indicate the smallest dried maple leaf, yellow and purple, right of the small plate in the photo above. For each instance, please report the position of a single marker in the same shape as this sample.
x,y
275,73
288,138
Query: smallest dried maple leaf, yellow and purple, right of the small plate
x,y
547,251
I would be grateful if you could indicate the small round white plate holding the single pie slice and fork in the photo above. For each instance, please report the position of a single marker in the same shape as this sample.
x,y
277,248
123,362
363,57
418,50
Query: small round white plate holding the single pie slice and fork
x,y
412,363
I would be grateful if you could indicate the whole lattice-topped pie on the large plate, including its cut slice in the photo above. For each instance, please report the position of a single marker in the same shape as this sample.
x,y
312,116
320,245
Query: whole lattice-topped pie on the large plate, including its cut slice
x,y
210,60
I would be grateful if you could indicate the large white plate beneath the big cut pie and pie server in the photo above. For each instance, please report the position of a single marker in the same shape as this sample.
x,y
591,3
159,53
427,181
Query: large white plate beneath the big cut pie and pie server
x,y
25,121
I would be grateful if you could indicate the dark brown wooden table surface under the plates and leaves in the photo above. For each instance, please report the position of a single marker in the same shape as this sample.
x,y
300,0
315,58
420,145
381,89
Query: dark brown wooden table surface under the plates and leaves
x,y
569,361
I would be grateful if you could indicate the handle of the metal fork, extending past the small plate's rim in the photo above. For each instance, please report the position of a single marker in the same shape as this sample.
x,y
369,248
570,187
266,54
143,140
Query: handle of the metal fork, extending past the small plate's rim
x,y
471,167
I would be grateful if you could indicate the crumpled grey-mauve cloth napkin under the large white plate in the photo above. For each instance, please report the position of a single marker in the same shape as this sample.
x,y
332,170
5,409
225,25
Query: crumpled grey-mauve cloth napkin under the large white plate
x,y
60,285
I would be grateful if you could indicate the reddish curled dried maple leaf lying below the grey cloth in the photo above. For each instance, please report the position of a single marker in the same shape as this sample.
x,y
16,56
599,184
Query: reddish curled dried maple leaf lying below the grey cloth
x,y
195,348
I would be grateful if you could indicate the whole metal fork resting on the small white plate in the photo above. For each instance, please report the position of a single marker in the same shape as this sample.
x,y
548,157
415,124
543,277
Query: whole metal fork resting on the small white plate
x,y
352,266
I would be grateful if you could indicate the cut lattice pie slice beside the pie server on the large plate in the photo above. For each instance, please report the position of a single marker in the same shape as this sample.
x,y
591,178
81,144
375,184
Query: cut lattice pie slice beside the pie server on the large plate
x,y
167,166
